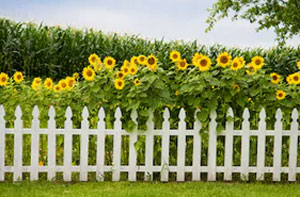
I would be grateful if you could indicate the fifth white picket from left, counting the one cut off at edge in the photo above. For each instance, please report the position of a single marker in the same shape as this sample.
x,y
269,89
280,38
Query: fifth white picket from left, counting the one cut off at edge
x,y
68,142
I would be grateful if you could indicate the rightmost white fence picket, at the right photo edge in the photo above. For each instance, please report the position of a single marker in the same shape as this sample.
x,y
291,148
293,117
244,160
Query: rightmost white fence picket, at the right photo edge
x,y
293,146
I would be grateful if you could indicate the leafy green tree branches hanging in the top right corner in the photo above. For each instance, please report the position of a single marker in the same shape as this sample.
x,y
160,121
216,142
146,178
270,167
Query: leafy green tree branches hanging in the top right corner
x,y
282,15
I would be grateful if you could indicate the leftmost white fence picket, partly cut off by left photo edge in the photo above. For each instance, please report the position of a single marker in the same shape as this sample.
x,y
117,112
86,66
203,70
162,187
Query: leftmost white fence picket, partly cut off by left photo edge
x,y
2,142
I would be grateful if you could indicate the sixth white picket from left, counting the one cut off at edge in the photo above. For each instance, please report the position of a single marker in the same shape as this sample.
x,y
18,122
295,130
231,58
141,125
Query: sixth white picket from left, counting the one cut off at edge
x,y
84,145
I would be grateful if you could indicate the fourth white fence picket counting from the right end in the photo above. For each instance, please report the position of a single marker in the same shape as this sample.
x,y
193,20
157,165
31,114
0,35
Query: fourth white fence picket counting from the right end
x,y
245,145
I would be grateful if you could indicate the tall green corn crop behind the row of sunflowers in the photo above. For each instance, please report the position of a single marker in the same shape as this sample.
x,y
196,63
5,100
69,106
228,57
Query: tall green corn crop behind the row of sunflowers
x,y
45,51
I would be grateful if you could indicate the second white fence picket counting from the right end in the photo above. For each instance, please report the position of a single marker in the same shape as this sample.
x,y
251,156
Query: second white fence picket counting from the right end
x,y
277,146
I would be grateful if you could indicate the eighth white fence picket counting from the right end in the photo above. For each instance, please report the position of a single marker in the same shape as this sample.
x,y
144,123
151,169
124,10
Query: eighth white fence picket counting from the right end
x,y
181,146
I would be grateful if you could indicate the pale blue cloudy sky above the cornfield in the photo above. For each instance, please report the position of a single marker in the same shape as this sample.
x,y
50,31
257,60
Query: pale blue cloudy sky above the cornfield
x,y
152,19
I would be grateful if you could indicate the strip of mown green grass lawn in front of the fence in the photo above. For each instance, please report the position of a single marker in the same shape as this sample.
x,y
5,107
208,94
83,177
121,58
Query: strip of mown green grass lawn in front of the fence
x,y
42,188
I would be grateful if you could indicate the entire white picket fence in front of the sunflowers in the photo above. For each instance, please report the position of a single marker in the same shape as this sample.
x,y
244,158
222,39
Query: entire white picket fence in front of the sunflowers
x,y
196,169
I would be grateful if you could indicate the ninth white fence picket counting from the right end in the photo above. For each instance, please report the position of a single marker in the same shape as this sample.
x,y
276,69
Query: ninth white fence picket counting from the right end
x,y
165,147
